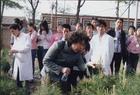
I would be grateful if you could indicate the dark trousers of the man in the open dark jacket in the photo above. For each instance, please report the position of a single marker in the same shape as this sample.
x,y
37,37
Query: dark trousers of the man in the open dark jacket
x,y
115,64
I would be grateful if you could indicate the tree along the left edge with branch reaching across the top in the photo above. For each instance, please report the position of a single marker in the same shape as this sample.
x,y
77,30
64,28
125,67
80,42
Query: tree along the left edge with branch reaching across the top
x,y
3,4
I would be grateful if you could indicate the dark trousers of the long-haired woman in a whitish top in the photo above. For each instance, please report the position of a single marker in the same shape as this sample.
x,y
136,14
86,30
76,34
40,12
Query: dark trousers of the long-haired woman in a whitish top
x,y
40,54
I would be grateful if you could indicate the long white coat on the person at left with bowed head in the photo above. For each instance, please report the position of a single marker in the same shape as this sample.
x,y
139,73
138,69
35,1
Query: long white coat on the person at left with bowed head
x,y
23,59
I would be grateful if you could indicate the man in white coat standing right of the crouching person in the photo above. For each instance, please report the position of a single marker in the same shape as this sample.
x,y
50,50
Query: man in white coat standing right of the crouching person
x,y
102,49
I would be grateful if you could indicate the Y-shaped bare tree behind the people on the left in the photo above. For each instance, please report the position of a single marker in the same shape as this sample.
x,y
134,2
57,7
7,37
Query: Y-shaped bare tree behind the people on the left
x,y
34,5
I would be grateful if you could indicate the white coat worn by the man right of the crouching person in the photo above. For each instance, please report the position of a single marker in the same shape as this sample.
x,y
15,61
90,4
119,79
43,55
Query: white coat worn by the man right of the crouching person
x,y
101,52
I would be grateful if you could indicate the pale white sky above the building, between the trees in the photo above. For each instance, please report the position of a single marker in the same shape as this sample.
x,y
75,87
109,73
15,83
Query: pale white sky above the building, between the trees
x,y
97,8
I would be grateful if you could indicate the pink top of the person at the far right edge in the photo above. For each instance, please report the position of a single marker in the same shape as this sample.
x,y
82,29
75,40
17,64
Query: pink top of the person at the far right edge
x,y
133,45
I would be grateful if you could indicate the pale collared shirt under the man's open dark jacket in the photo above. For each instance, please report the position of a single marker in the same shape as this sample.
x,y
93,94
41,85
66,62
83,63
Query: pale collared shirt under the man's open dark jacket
x,y
117,41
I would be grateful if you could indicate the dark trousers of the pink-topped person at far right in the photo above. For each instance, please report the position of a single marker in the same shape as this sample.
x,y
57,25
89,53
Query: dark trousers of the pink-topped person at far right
x,y
132,62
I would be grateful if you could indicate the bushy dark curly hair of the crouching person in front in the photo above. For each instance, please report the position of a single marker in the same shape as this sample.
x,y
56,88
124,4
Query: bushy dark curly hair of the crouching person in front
x,y
78,37
